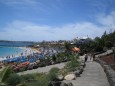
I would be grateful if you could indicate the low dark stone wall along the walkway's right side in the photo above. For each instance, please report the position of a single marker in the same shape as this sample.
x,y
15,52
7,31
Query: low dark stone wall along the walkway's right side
x,y
109,72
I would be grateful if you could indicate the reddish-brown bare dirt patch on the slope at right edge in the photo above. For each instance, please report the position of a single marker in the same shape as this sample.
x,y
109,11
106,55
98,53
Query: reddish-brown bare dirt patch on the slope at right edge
x,y
109,60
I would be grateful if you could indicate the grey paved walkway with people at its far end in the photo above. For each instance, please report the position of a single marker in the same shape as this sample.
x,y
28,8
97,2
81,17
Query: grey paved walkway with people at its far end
x,y
93,75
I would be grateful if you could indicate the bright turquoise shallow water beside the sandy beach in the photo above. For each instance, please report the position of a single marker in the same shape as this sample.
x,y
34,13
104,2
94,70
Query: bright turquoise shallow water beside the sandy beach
x,y
5,51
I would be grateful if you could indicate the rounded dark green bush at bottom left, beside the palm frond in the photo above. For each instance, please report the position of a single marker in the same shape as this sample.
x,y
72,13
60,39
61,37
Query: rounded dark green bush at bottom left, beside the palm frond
x,y
13,79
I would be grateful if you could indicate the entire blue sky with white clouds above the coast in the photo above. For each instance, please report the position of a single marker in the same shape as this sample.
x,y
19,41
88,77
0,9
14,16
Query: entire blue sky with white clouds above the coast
x,y
37,20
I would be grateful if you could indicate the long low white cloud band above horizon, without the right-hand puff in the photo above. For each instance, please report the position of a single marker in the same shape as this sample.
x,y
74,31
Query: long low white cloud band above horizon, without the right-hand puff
x,y
19,30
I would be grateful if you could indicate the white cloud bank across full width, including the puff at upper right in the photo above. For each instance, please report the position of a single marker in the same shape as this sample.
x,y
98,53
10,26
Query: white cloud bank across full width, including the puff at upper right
x,y
28,31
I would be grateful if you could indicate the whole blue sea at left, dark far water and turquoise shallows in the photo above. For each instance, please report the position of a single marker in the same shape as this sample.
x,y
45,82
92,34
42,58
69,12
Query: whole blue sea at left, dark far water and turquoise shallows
x,y
12,48
